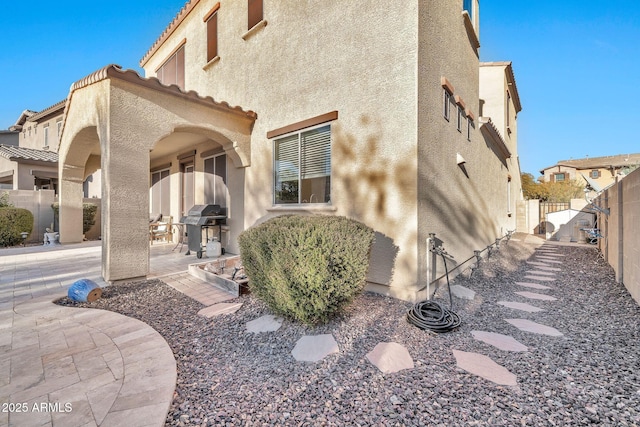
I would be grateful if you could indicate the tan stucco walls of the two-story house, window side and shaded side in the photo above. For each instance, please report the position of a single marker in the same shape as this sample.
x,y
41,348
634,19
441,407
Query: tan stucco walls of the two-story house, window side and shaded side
x,y
393,154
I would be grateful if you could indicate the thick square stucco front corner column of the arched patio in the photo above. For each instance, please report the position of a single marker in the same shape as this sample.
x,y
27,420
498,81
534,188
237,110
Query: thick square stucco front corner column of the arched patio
x,y
125,203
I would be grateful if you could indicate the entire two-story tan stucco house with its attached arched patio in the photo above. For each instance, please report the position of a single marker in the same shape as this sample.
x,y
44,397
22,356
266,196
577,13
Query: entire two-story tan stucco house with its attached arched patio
x,y
352,108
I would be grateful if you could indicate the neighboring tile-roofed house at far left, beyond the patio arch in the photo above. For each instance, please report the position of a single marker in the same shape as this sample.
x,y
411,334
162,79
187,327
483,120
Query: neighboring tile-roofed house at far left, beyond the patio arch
x,y
32,163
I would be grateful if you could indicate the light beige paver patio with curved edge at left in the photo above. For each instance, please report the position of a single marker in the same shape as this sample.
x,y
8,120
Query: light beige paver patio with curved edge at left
x,y
82,367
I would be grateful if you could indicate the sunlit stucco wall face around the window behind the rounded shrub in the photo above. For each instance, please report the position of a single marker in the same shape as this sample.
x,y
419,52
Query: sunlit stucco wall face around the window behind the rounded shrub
x,y
368,76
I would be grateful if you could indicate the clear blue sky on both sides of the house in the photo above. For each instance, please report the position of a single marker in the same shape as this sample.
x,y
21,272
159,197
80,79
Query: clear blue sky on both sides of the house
x,y
576,64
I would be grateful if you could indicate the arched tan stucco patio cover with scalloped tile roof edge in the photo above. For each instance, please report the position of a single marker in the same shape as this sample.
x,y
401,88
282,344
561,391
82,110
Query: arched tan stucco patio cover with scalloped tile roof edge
x,y
118,118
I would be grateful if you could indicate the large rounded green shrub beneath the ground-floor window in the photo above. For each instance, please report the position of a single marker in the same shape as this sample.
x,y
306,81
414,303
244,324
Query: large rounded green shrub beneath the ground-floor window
x,y
307,268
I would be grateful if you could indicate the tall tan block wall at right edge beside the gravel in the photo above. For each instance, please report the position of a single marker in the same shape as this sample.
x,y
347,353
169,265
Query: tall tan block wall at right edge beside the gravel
x,y
620,245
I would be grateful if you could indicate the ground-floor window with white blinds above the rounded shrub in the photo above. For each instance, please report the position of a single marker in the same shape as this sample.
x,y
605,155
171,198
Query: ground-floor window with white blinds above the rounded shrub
x,y
302,166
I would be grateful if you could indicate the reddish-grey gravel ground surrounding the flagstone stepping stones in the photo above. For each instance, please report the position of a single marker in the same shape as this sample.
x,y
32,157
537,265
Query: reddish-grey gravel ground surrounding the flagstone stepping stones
x,y
590,375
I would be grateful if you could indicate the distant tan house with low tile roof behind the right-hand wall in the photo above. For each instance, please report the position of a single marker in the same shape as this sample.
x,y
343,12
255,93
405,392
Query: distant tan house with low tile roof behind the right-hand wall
x,y
599,172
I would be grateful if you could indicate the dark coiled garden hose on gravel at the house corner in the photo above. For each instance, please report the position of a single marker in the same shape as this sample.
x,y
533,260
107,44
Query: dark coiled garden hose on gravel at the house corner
x,y
431,315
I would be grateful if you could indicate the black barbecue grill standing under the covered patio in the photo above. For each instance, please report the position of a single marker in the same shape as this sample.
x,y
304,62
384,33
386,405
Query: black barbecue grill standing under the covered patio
x,y
203,217
